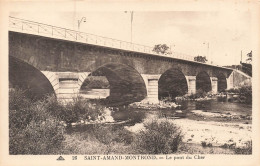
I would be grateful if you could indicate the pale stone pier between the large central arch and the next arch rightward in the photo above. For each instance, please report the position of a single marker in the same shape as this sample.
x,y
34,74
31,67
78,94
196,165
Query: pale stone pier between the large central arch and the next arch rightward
x,y
151,83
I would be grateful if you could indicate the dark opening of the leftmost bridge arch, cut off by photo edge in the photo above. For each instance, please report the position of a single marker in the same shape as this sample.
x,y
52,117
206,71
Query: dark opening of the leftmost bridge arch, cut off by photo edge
x,y
28,78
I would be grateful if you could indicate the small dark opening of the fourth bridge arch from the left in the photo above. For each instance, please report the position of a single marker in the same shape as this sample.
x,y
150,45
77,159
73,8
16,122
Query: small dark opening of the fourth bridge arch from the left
x,y
203,82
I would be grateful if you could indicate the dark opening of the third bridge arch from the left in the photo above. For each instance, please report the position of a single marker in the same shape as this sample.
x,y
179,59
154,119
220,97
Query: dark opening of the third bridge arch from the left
x,y
172,83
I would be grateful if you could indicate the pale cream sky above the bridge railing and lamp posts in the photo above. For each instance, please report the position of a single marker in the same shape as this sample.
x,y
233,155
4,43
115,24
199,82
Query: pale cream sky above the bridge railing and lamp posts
x,y
219,35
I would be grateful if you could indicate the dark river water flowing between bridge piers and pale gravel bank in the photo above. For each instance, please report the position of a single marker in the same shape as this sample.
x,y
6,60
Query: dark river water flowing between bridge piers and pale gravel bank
x,y
136,115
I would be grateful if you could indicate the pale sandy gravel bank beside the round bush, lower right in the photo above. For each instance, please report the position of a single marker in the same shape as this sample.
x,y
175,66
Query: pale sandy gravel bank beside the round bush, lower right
x,y
208,133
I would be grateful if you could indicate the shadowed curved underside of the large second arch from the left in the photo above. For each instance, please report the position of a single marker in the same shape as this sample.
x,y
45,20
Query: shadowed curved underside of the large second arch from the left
x,y
125,83
